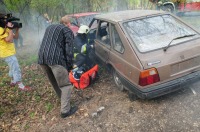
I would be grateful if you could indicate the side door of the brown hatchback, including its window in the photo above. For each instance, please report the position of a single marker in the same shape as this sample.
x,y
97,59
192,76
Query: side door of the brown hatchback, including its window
x,y
102,41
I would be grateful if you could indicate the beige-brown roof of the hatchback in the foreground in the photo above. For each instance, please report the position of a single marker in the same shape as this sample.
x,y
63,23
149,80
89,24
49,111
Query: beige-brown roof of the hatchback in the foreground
x,y
125,15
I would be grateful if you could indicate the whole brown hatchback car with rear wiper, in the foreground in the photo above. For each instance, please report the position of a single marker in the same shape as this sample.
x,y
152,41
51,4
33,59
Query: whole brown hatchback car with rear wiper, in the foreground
x,y
150,53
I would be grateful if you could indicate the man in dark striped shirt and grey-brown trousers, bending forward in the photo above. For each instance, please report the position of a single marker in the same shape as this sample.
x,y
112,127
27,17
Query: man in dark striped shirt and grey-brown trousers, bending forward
x,y
55,58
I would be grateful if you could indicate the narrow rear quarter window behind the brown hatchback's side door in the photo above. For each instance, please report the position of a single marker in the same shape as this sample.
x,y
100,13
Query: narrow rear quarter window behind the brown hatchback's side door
x,y
117,43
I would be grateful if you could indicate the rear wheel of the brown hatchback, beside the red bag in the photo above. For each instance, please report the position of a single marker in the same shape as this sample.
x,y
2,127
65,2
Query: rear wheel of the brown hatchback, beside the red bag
x,y
117,80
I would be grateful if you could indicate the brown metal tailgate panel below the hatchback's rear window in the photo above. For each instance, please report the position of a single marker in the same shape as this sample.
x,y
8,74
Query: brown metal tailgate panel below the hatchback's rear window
x,y
178,60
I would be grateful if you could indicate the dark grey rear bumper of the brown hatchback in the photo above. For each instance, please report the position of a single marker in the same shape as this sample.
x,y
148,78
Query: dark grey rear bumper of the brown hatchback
x,y
164,88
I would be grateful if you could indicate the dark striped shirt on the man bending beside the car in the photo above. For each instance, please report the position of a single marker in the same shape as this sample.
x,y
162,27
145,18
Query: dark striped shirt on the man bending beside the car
x,y
57,46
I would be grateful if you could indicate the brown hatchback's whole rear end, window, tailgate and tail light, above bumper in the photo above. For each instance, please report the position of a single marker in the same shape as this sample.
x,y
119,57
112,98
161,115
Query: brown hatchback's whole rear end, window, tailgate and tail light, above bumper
x,y
165,43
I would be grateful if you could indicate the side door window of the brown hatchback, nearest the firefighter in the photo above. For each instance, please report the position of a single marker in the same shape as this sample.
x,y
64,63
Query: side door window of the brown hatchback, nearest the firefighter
x,y
103,33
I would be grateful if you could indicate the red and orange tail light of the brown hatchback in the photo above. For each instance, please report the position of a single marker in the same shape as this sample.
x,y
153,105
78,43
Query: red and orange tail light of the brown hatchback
x,y
148,77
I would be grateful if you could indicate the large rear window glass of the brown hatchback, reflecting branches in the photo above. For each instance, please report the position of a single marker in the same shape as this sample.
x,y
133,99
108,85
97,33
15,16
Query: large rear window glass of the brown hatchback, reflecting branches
x,y
153,33
